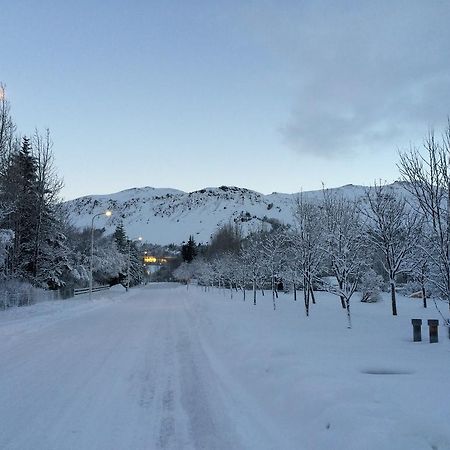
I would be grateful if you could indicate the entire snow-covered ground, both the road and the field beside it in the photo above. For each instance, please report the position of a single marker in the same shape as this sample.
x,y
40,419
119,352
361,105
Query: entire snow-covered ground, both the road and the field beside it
x,y
161,367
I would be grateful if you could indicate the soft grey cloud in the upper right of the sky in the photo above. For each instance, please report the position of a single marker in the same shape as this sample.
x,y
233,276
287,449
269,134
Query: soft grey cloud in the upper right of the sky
x,y
366,75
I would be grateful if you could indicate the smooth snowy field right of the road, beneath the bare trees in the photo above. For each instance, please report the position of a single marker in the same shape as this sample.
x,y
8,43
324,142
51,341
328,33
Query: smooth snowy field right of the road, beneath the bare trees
x,y
323,386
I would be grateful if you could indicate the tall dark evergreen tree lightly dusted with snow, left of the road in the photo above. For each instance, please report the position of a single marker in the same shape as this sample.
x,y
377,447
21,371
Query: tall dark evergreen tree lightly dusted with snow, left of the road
x,y
30,188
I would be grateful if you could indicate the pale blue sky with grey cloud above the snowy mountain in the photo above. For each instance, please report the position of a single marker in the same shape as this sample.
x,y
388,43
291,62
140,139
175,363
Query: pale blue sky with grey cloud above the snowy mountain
x,y
269,95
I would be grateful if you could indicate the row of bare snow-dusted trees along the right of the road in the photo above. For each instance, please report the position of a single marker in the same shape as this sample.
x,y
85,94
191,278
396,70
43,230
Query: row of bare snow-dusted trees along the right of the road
x,y
338,244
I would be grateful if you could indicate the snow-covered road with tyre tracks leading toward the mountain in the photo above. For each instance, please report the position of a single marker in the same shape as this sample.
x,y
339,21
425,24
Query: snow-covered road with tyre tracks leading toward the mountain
x,y
130,375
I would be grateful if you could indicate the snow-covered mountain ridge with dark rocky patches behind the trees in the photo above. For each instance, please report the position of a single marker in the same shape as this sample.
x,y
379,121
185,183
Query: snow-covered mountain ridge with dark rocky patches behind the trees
x,y
164,216
